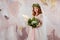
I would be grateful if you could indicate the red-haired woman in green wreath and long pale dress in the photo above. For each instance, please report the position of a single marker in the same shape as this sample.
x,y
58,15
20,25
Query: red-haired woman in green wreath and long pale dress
x,y
38,33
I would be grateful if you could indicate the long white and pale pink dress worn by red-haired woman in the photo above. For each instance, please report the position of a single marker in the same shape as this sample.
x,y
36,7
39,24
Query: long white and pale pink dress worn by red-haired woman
x,y
38,33
